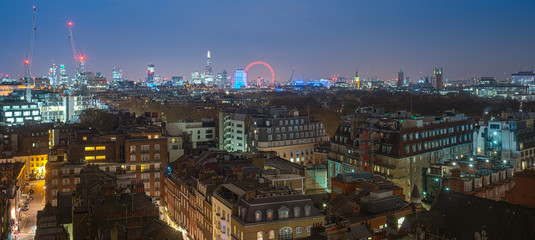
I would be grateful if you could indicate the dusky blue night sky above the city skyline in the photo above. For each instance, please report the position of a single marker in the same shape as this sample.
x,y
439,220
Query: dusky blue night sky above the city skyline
x,y
320,38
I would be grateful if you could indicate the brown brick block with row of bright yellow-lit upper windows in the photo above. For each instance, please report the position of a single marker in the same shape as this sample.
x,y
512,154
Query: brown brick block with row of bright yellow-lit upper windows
x,y
138,154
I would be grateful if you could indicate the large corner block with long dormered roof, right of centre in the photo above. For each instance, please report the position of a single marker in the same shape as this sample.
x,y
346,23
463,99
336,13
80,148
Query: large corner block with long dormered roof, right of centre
x,y
399,145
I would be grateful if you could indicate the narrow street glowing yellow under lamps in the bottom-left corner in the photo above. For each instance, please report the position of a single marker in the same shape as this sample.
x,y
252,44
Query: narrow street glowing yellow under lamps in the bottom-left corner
x,y
28,221
